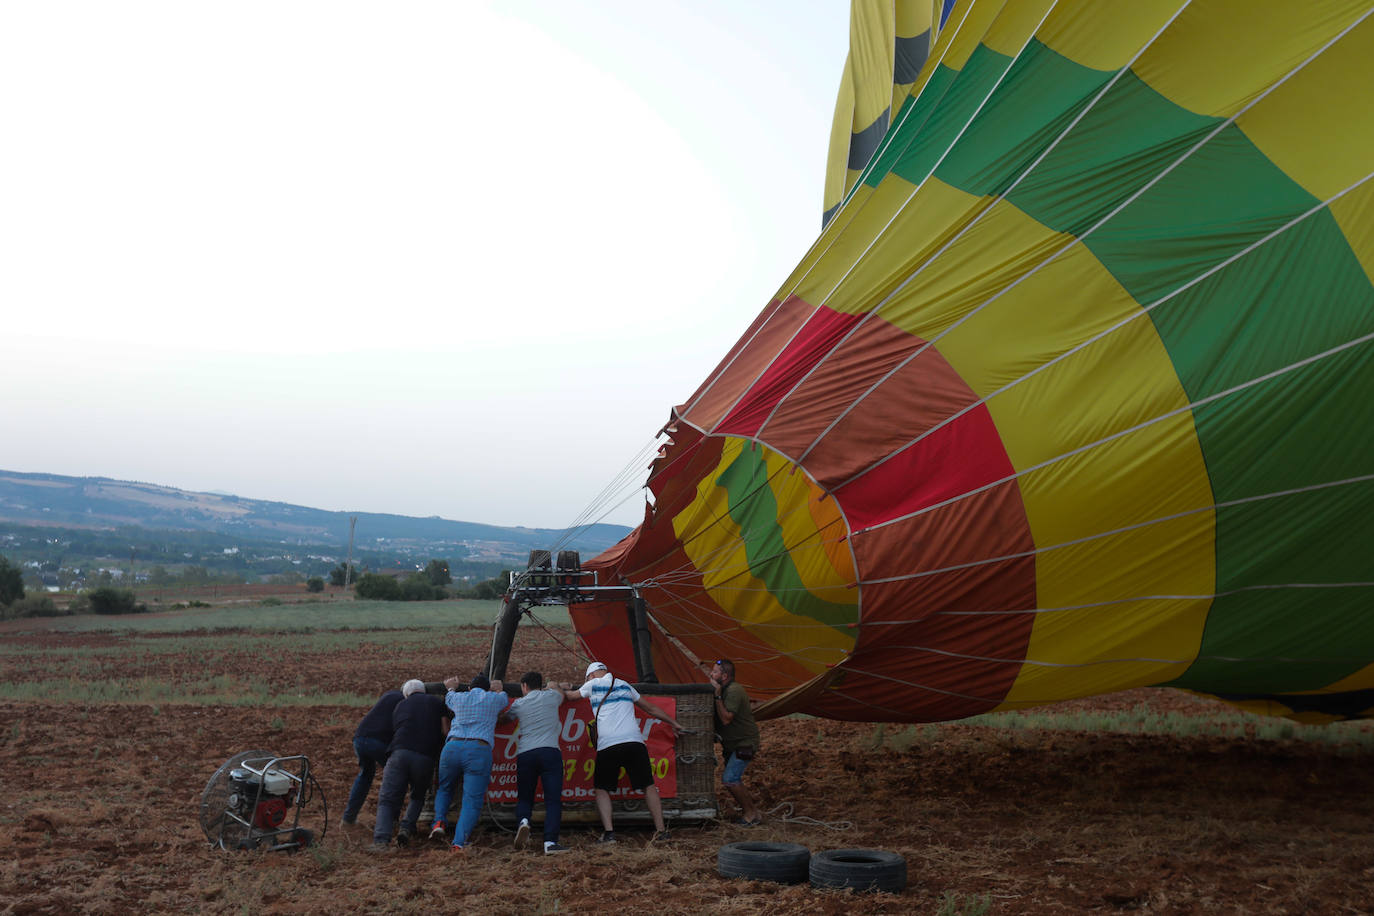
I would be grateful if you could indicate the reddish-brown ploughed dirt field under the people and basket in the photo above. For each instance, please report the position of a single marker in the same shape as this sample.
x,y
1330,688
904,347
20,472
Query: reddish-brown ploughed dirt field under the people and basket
x,y
101,812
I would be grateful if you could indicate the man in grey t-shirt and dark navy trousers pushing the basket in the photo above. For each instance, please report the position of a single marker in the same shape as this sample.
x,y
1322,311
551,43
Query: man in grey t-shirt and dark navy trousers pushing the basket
x,y
538,759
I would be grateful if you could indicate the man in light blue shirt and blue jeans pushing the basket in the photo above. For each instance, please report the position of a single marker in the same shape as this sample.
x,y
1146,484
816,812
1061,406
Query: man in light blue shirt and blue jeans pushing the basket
x,y
468,755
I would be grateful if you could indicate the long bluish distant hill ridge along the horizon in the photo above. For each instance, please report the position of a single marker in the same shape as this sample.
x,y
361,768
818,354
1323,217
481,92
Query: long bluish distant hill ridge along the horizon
x,y
102,503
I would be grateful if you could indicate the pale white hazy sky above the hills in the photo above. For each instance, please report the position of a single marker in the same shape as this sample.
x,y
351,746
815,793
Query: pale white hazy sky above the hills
x,y
433,259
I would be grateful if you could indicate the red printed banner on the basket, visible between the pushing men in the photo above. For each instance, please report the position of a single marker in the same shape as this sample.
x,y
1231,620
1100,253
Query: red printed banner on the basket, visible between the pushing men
x,y
581,760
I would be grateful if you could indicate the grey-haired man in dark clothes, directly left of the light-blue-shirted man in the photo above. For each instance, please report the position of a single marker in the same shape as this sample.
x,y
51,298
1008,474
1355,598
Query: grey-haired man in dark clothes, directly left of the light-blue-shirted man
x,y
420,724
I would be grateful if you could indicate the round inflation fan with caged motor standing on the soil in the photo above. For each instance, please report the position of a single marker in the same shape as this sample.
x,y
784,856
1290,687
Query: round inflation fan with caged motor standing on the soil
x,y
258,800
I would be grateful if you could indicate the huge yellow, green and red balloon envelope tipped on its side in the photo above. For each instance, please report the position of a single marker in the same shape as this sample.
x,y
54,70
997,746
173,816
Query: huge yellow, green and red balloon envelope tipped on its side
x,y
1074,393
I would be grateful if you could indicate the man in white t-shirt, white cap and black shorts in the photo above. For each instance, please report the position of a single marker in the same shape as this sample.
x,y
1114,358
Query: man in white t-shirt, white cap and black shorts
x,y
620,744
